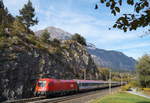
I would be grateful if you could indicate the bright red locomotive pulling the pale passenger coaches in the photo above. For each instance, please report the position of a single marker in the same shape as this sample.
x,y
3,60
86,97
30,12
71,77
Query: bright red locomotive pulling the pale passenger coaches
x,y
48,86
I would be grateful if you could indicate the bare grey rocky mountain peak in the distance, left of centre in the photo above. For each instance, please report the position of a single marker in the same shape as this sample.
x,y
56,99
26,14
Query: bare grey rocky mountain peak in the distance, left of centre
x,y
55,33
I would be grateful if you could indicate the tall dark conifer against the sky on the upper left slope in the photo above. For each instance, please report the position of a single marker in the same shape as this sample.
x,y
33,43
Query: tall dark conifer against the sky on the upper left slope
x,y
27,15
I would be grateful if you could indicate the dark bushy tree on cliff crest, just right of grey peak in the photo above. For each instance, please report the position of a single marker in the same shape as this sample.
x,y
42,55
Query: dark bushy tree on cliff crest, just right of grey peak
x,y
77,37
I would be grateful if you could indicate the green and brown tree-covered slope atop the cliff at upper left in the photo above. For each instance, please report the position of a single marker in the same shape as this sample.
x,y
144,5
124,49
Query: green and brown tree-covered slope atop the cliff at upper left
x,y
14,32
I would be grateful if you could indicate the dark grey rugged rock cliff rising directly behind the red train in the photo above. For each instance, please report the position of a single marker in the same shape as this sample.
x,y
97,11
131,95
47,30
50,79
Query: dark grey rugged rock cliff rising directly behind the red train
x,y
21,67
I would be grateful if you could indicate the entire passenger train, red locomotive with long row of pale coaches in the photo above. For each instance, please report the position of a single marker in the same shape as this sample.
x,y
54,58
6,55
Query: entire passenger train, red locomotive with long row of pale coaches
x,y
51,86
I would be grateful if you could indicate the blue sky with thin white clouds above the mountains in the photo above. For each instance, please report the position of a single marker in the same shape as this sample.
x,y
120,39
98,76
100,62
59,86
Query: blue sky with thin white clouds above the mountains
x,y
79,16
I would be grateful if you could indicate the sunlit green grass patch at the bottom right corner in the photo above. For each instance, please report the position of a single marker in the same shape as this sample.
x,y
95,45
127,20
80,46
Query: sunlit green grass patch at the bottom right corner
x,y
122,97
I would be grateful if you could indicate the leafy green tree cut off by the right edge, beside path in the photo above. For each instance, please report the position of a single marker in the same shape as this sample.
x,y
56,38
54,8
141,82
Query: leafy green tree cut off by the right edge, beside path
x,y
143,71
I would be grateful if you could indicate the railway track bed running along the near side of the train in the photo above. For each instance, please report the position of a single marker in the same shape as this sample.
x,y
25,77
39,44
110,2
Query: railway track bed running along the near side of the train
x,y
43,99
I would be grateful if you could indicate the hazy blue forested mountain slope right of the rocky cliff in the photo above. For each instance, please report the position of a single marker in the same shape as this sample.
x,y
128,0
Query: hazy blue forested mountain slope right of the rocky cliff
x,y
111,59
